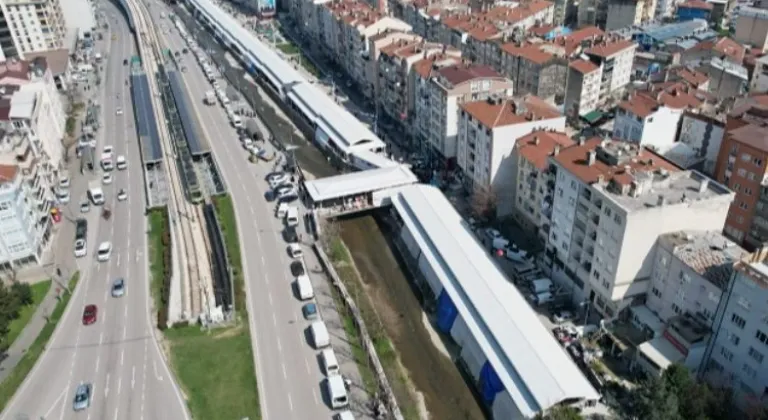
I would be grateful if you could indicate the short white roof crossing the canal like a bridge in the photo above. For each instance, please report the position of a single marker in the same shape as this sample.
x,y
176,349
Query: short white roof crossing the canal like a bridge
x,y
359,182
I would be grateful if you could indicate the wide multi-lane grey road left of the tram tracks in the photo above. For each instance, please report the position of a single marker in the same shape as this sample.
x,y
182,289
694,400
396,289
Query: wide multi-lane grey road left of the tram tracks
x,y
118,354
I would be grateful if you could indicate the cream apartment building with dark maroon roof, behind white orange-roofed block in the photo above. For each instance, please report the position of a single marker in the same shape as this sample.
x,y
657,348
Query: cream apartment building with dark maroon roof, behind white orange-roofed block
x,y
449,87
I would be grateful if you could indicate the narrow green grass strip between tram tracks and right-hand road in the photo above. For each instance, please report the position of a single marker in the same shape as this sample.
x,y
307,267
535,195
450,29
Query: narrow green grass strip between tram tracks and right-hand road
x,y
225,210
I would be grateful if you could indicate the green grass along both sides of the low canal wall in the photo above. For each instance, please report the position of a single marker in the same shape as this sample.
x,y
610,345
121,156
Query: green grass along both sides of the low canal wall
x,y
344,266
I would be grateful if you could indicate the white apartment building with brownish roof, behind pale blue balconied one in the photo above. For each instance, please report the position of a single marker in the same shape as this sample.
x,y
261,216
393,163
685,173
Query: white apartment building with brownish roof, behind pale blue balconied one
x,y
30,103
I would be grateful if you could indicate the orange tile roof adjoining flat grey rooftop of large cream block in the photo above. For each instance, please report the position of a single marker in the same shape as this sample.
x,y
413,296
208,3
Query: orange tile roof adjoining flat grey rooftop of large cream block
x,y
575,160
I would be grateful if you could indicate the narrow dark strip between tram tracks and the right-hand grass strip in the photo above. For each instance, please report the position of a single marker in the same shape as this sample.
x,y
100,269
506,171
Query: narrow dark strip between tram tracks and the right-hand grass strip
x,y
223,288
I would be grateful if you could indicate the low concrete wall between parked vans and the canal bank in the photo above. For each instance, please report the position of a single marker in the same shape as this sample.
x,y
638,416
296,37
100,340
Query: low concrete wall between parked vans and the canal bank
x,y
365,338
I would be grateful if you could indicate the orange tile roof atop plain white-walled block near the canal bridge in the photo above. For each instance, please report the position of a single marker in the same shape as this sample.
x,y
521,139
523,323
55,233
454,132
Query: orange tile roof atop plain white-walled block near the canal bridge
x,y
492,115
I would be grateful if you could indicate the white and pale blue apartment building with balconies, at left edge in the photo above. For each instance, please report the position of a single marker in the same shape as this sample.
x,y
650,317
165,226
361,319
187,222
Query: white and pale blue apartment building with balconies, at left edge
x,y
25,204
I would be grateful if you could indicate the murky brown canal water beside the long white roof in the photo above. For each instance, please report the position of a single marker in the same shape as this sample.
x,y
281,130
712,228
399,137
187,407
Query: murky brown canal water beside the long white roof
x,y
435,376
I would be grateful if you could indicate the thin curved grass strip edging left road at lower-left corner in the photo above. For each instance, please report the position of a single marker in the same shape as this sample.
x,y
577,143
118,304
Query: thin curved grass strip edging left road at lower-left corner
x,y
27,362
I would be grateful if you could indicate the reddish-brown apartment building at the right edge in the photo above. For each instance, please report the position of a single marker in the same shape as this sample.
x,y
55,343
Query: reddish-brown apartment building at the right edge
x,y
741,165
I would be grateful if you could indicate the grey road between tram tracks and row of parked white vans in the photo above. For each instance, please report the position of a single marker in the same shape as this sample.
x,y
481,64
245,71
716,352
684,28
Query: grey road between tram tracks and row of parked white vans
x,y
289,375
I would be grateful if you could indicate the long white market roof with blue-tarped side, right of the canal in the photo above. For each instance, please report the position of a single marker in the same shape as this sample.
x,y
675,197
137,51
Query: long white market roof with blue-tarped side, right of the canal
x,y
533,367
